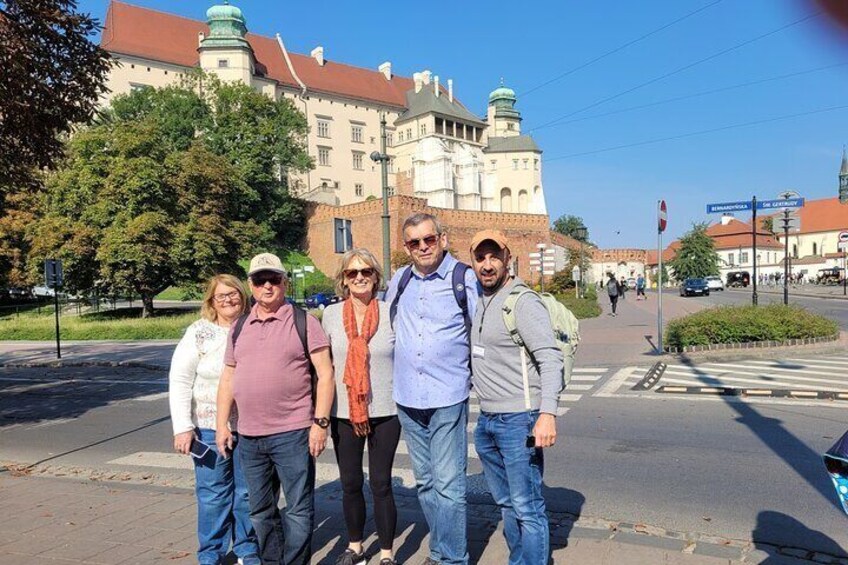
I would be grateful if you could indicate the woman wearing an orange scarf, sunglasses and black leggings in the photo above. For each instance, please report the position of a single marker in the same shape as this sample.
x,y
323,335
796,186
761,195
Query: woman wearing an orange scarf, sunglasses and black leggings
x,y
362,344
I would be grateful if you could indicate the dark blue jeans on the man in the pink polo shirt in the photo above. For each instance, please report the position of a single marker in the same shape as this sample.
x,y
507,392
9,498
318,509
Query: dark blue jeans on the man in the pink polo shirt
x,y
270,462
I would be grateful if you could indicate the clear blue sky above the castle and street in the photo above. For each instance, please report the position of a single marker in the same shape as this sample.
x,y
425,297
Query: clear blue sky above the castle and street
x,y
529,44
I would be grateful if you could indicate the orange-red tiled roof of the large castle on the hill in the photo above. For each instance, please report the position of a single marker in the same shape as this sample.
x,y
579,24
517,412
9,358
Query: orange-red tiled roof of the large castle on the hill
x,y
158,36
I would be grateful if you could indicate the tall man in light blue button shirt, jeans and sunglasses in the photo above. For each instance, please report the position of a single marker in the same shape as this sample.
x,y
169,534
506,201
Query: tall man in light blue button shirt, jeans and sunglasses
x,y
433,301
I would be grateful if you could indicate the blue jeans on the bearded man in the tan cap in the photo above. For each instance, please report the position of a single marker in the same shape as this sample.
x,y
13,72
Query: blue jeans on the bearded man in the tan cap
x,y
514,474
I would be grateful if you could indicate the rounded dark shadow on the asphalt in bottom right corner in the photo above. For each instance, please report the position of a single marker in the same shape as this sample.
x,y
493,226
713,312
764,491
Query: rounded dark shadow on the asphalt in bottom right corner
x,y
771,523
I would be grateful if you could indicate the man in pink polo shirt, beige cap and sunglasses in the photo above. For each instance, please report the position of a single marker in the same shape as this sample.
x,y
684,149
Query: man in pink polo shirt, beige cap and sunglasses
x,y
268,373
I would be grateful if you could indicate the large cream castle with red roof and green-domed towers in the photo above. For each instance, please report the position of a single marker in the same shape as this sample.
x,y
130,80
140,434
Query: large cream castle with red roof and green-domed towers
x,y
440,151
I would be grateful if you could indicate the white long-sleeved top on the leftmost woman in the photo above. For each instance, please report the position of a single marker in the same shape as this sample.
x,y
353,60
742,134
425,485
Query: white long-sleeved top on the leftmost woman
x,y
193,380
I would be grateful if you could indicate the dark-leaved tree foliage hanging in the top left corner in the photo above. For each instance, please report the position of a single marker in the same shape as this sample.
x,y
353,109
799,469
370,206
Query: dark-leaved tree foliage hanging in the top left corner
x,y
53,75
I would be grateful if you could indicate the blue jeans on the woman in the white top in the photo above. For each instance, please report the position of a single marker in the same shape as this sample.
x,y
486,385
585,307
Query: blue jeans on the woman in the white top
x,y
222,511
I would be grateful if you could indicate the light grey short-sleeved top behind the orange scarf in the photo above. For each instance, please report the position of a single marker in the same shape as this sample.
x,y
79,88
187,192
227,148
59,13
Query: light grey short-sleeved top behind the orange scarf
x,y
381,348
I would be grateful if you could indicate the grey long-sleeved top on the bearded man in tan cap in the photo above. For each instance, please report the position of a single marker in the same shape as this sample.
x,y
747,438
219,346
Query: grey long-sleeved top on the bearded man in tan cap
x,y
496,359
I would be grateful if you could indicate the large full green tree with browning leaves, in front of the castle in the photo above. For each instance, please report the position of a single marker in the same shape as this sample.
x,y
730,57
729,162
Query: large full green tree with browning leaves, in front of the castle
x,y
170,187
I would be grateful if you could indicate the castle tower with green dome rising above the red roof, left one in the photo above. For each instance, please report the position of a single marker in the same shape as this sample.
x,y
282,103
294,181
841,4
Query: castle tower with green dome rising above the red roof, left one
x,y
225,51
